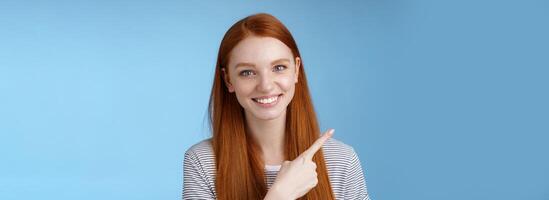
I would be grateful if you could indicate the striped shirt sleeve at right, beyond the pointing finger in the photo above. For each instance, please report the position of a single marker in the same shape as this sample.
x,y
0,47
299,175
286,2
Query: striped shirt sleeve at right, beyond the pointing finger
x,y
355,183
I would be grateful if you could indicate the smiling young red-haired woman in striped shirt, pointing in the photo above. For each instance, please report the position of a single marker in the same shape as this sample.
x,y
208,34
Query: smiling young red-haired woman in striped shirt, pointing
x,y
266,140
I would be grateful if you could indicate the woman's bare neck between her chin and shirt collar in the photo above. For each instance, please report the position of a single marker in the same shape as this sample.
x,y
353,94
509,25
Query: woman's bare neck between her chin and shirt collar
x,y
269,135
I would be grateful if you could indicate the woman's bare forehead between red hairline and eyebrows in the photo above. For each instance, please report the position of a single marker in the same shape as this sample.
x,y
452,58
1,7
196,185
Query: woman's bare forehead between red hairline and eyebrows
x,y
259,50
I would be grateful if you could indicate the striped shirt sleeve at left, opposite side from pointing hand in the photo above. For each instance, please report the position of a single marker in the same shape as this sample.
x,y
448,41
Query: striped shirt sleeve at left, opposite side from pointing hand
x,y
194,179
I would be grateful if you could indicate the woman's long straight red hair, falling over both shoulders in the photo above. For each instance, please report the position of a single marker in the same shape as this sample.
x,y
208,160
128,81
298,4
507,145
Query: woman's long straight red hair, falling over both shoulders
x,y
239,167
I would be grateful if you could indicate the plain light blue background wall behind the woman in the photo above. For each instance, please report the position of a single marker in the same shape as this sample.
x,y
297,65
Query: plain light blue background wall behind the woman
x,y
441,99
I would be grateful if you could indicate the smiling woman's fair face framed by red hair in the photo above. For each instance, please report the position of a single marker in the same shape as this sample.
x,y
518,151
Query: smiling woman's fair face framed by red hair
x,y
262,72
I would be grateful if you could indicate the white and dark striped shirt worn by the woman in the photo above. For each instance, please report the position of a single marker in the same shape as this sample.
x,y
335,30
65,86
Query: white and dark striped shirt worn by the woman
x,y
344,171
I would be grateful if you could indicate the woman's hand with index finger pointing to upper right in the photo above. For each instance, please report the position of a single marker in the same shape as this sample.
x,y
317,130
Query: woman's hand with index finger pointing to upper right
x,y
298,176
